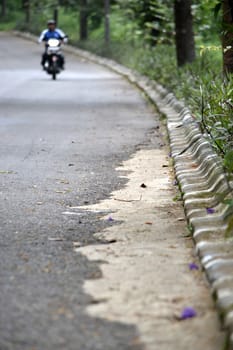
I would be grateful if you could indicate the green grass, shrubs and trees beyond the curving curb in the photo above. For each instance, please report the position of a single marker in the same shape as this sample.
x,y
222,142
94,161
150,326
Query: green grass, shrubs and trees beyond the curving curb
x,y
141,35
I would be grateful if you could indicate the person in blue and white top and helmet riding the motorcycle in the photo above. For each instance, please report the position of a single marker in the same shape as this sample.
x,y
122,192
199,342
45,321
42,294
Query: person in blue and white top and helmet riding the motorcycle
x,y
52,33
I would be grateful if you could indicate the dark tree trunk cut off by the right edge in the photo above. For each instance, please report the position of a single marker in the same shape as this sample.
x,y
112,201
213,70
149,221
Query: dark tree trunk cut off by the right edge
x,y
227,38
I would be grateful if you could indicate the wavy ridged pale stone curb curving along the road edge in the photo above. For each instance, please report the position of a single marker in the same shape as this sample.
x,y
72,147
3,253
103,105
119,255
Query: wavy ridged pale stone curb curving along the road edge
x,y
202,181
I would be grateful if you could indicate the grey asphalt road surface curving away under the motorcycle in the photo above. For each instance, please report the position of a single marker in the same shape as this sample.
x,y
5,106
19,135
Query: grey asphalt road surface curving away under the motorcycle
x,y
60,142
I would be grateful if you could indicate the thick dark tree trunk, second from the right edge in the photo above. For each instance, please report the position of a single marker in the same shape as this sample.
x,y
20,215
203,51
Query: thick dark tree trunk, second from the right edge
x,y
185,45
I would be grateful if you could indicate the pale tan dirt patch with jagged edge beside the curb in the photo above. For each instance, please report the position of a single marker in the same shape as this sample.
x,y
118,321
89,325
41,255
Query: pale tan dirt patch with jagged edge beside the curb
x,y
147,279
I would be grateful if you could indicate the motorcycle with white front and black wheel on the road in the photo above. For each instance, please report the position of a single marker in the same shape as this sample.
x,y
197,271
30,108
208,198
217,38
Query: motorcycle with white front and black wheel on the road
x,y
54,63
